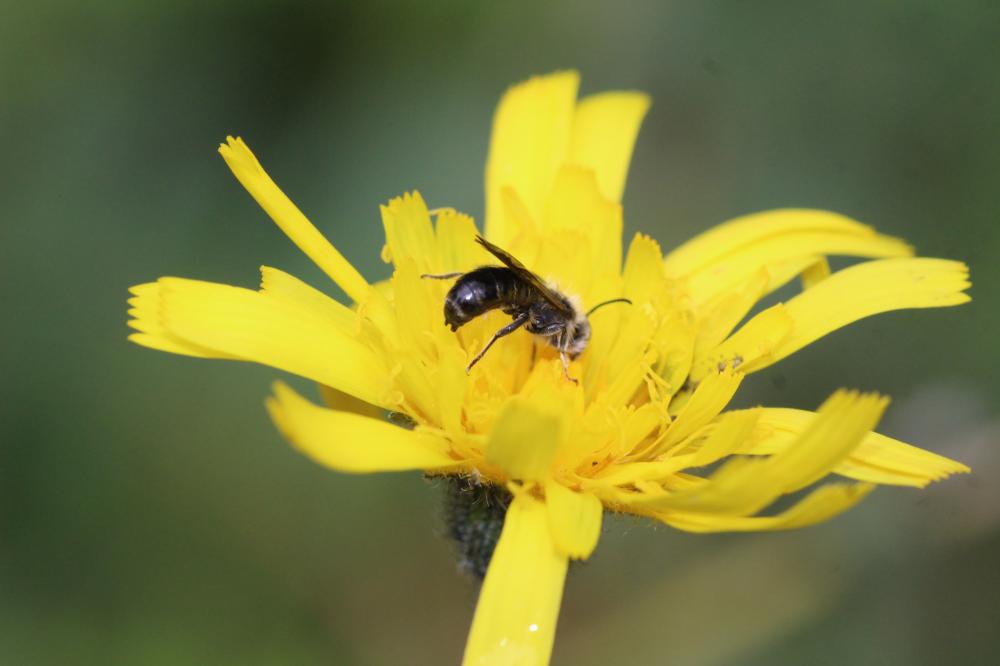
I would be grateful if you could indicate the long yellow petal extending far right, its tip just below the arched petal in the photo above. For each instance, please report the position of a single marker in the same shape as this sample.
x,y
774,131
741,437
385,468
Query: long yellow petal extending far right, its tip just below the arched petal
x,y
864,290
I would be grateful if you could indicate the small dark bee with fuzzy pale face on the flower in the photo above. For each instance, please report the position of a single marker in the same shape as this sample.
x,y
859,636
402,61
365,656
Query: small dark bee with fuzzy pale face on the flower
x,y
518,292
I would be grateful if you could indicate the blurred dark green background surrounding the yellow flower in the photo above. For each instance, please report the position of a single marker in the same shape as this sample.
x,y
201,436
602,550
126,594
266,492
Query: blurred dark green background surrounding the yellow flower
x,y
150,514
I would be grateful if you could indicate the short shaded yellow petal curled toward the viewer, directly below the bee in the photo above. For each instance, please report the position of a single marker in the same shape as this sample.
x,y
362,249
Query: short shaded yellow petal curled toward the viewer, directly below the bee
x,y
525,440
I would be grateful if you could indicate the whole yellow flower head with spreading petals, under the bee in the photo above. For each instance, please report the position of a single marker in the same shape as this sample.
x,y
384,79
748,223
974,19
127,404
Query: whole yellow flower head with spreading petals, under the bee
x,y
645,421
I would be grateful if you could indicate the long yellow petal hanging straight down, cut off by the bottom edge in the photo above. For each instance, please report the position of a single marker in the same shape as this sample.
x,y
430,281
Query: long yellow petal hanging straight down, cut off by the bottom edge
x,y
515,621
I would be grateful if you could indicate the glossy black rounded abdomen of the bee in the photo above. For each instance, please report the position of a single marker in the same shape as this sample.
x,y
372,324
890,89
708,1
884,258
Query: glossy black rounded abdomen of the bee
x,y
480,291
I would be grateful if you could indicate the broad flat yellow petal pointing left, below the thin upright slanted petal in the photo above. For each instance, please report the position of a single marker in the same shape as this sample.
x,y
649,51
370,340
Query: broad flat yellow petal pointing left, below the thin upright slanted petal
x,y
268,329
